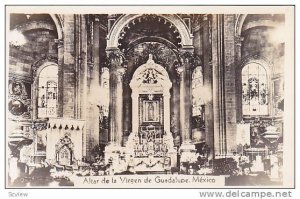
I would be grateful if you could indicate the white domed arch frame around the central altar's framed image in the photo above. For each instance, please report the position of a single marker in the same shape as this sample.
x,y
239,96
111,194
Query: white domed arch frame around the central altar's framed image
x,y
150,78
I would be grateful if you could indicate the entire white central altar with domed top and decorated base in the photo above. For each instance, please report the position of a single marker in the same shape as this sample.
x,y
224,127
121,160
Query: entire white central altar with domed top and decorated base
x,y
151,142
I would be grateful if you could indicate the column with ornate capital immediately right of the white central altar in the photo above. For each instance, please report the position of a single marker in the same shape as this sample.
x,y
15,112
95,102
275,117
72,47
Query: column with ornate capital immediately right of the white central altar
x,y
187,149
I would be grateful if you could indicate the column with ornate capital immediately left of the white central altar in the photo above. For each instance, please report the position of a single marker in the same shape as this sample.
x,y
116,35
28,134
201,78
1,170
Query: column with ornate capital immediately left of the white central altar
x,y
117,71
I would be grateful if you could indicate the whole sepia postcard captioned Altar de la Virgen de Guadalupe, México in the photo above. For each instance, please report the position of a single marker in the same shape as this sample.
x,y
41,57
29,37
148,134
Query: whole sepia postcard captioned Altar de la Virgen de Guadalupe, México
x,y
150,97
